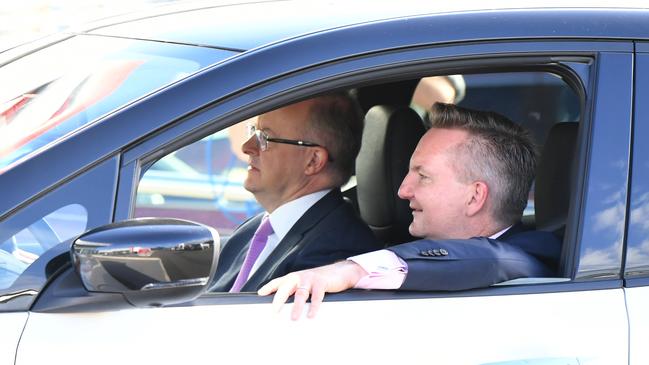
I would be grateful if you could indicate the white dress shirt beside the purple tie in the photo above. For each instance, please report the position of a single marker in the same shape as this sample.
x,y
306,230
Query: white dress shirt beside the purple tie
x,y
283,219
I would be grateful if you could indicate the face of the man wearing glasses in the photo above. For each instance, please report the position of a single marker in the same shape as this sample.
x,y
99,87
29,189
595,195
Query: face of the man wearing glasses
x,y
274,174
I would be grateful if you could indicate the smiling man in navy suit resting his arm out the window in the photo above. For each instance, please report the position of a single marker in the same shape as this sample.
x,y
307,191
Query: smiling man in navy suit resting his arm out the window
x,y
467,185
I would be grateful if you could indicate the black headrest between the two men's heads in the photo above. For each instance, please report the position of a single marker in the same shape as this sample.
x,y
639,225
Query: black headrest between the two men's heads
x,y
390,136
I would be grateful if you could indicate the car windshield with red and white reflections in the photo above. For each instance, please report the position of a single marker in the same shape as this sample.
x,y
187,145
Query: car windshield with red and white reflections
x,y
49,93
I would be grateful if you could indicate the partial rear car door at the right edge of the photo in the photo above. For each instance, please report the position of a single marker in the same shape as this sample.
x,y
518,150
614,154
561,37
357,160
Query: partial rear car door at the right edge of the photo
x,y
636,274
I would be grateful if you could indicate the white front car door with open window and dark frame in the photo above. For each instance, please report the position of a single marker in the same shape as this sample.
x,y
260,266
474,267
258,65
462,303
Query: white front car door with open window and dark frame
x,y
579,319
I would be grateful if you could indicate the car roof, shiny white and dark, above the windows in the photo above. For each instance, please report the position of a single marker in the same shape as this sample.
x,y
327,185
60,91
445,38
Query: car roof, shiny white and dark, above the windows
x,y
243,26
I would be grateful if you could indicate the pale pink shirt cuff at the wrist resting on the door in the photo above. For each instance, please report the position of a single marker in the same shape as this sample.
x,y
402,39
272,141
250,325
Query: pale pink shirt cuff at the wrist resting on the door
x,y
385,270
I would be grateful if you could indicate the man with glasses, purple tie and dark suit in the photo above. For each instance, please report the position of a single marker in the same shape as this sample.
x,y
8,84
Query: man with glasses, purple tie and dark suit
x,y
299,157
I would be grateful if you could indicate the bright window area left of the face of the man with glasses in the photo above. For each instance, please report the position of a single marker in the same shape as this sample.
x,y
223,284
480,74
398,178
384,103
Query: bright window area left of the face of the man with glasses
x,y
202,182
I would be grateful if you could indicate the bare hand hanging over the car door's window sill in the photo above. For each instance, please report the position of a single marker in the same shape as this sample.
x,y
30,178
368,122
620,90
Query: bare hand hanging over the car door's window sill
x,y
316,282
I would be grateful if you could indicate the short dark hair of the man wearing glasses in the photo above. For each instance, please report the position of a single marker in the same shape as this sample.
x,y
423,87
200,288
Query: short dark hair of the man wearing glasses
x,y
336,121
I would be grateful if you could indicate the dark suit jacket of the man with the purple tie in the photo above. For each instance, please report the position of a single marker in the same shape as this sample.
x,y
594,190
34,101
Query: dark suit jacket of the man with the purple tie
x,y
329,231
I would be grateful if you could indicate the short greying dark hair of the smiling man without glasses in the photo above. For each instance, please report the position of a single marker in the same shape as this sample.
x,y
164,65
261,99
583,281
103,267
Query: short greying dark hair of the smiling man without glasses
x,y
498,151
